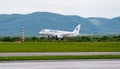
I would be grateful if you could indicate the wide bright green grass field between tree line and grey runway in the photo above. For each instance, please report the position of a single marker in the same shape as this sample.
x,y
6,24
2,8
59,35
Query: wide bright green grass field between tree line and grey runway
x,y
60,47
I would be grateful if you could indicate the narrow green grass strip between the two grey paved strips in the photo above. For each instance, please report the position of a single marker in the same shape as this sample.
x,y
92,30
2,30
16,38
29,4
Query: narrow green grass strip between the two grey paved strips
x,y
59,57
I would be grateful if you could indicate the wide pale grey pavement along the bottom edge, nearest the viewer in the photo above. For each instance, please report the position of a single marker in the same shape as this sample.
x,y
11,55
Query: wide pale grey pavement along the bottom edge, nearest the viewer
x,y
62,64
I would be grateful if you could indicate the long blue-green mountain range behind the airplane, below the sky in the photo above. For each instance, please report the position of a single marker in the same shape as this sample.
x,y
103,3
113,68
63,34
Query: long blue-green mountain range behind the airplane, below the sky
x,y
10,25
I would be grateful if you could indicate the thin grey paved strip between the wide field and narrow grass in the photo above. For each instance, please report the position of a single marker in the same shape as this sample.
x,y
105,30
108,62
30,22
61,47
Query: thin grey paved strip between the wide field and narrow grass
x,y
59,53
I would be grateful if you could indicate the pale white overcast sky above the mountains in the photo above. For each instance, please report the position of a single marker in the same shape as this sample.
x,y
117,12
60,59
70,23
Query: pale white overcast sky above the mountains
x,y
84,8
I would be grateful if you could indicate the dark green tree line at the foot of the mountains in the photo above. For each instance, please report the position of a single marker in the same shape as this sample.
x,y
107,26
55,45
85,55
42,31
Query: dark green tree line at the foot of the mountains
x,y
76,39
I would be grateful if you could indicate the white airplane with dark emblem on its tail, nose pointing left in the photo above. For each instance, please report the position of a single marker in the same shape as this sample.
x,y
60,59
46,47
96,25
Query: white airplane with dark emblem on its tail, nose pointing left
x,y
60,34
